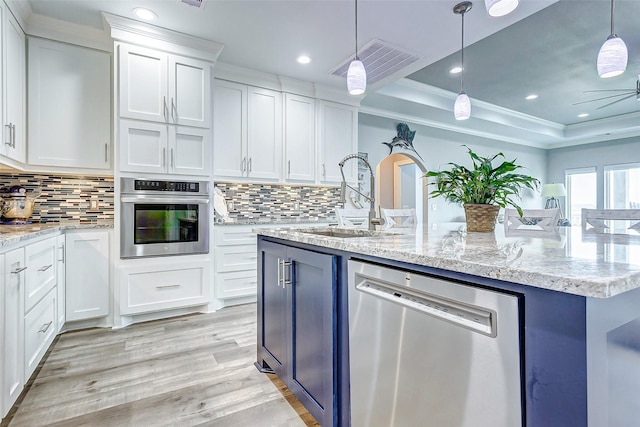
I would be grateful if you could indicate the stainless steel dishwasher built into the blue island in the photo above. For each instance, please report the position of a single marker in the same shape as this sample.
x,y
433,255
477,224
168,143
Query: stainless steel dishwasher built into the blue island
x,y
430,352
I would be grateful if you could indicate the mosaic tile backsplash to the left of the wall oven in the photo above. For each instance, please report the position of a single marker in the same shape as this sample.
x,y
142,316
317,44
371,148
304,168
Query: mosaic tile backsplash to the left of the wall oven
x,y
65,198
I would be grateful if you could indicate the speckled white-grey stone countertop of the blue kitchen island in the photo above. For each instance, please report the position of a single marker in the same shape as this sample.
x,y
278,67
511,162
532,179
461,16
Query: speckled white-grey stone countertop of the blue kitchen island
x,y
568,260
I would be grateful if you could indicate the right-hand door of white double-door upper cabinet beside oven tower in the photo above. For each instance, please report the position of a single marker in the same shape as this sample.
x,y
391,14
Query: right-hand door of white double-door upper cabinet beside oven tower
x,y
264,134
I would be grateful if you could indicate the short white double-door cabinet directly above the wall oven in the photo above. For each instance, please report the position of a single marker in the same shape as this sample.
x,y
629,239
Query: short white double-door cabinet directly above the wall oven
x,y
157,148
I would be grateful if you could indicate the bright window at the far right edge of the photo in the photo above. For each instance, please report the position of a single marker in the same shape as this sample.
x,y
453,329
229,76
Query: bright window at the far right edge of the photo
x,y
622,186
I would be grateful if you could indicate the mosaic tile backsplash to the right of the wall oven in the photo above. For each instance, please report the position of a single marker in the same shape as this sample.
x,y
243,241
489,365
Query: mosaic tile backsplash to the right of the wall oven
x,y
279,201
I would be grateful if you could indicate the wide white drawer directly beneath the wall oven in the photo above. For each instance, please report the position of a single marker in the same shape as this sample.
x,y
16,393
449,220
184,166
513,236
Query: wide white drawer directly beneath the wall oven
x,y
163,288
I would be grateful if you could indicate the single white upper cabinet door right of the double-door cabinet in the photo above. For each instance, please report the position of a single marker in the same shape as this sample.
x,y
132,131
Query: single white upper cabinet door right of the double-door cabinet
x,y
299,138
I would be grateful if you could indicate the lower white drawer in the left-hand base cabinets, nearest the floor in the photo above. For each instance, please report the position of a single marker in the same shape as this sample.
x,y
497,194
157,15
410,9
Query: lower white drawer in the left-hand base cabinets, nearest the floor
x,y
39,331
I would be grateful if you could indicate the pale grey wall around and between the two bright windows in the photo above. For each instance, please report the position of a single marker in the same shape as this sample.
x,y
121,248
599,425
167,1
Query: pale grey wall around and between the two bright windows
x,y
595,155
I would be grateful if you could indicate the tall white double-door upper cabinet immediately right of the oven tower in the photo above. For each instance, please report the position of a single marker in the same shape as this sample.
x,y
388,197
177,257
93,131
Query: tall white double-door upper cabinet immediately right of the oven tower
x,y
247,132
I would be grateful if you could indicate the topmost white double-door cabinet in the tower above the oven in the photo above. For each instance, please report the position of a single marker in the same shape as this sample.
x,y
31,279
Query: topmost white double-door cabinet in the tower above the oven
x,y
160,87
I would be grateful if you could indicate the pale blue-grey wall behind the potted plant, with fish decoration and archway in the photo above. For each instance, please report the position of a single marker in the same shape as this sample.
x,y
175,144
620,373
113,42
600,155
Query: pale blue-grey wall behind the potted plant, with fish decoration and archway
x,y
438,147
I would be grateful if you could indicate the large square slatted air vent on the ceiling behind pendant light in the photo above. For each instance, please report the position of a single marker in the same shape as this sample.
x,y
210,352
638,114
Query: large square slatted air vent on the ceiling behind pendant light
x,y
380,59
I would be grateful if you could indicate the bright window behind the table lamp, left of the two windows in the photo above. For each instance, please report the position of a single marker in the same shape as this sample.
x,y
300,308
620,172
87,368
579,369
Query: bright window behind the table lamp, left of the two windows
x,y
581,192
